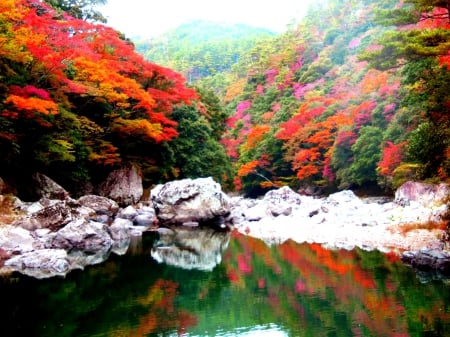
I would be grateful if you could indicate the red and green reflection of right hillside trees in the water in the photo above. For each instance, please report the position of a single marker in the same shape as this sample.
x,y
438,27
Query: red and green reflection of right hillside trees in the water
x,y
313,288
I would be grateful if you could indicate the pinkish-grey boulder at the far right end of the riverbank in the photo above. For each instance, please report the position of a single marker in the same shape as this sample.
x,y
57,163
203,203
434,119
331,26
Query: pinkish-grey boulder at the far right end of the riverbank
x,y
427,195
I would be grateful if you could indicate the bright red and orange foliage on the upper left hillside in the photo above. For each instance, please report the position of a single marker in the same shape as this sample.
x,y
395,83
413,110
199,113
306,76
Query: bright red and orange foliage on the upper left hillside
x,y
74,58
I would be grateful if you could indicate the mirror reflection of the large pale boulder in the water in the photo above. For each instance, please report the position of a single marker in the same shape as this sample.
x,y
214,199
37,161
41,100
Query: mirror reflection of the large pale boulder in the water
x,y
190,248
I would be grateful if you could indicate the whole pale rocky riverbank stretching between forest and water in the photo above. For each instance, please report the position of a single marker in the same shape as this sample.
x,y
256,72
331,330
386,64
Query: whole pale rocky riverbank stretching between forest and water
x,y
54,236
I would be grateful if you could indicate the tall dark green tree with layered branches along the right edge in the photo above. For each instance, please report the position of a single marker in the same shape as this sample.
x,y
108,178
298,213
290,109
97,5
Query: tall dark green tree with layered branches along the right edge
x,y
421,45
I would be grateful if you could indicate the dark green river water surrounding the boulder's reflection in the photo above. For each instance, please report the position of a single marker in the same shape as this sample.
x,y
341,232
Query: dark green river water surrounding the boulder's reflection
x,y
255,290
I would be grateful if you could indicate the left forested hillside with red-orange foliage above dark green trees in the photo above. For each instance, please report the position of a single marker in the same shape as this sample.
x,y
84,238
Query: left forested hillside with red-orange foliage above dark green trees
x,y
77,101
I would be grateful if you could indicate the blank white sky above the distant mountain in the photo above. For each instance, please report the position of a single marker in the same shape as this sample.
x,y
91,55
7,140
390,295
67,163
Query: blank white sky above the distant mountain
x,y
153,17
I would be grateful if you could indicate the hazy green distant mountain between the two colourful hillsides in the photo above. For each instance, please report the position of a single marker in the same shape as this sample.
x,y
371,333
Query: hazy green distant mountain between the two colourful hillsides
x,y
201,48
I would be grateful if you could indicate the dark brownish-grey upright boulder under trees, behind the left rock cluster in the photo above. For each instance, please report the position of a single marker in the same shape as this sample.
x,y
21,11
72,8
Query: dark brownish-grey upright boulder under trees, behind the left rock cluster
x,y
123,185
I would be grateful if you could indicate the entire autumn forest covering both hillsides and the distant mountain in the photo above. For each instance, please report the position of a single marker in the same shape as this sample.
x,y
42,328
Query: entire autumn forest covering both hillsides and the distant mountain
x,y
353,96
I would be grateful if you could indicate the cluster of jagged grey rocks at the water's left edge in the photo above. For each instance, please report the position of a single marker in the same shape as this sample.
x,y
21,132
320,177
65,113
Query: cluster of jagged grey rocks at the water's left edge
x,y
53,237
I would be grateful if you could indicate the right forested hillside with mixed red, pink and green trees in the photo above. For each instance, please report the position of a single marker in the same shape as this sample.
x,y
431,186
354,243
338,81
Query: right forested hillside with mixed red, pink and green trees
x,y
355,96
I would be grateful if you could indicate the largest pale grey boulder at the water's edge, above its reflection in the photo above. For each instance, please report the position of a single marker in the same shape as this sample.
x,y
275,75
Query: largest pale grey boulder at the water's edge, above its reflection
x,y
188,200
